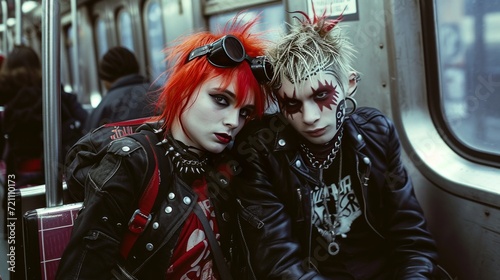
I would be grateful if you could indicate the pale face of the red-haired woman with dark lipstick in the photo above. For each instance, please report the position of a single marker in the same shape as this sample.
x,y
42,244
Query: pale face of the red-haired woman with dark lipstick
x,y
211,119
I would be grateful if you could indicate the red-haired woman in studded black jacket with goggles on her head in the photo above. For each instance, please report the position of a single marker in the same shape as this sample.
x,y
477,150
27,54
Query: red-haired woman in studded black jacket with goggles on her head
x,y
215,85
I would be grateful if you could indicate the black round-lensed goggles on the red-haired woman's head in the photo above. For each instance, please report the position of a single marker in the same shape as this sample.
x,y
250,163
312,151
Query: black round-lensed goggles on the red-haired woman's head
x,y
228,52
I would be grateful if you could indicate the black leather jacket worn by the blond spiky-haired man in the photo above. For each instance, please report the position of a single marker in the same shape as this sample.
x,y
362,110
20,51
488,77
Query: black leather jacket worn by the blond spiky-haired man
x,y
273,188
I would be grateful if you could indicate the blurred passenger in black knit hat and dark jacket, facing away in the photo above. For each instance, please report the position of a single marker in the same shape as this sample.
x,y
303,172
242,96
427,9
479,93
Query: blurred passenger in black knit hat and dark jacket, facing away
x,y
127,96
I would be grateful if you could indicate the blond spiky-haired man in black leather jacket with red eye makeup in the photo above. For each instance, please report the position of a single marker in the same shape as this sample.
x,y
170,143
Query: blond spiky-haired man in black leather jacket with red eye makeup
x,y
321,188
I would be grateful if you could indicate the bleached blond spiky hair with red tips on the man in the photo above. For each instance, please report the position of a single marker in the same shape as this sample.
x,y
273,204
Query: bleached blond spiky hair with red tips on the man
x,y
310,46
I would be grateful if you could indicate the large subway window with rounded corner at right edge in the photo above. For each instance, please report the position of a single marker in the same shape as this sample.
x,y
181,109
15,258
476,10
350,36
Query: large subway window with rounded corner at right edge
x,y
468,48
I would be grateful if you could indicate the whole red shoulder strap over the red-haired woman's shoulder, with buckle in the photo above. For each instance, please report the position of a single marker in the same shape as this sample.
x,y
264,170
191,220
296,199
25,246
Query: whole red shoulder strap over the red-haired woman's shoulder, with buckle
x,y
142,216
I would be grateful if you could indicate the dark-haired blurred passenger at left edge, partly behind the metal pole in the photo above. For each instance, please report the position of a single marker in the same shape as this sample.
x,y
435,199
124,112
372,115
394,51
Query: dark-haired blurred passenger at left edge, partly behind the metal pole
x,y
21,96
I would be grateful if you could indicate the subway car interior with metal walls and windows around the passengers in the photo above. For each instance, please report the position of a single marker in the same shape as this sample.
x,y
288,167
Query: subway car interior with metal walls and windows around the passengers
x,y
431,66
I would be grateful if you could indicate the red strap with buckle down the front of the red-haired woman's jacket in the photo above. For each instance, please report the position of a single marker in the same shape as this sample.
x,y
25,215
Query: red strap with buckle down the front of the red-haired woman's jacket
x,y
141,217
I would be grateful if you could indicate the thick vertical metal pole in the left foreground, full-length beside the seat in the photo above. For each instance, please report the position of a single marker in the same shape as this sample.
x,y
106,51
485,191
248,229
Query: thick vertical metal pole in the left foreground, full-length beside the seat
x,y
51,101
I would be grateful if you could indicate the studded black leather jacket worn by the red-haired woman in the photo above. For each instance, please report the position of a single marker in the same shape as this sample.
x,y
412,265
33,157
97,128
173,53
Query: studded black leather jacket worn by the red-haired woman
x,y
113,188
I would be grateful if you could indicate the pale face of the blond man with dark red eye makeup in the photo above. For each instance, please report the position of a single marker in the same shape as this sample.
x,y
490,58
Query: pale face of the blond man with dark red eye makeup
x,y
315,107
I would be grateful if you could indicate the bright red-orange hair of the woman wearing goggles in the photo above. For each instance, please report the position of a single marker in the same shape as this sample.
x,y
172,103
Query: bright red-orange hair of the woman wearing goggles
x,y
185,77
